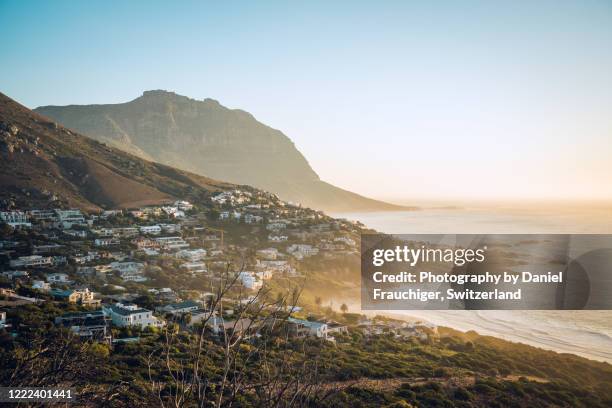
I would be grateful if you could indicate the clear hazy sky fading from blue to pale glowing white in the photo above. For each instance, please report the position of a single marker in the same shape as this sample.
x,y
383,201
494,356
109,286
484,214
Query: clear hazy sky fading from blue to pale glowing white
x,y
398,100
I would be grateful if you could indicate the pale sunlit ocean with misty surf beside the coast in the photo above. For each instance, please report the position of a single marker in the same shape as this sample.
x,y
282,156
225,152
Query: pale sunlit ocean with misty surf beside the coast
x,y
584,333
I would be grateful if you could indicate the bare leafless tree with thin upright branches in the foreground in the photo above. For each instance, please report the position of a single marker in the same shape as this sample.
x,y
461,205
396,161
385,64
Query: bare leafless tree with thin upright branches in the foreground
x,y
250,358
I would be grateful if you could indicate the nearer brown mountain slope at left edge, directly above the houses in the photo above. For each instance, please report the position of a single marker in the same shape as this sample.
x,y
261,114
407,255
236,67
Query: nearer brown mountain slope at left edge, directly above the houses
x,y
43,164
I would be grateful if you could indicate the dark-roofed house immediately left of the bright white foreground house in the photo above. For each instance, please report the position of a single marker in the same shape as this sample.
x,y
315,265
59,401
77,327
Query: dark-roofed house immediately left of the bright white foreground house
x,y
89,326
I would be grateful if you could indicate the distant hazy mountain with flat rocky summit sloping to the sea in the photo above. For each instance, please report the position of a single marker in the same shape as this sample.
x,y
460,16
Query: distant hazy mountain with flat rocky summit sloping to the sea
x,y
207,138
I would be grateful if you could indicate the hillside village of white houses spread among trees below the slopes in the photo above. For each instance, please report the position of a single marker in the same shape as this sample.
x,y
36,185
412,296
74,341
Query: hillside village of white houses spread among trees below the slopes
x,y
132,271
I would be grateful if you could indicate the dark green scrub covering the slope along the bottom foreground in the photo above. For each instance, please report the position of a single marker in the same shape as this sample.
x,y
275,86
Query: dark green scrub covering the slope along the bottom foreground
x,y
452,370
